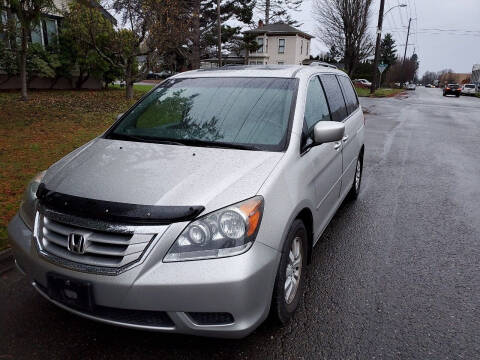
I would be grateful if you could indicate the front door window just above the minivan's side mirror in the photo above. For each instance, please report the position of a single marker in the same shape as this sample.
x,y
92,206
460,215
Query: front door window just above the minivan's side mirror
x,y
316,107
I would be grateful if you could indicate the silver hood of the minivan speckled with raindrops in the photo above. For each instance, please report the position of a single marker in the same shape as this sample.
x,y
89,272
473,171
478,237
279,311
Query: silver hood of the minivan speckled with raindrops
x,y
158,174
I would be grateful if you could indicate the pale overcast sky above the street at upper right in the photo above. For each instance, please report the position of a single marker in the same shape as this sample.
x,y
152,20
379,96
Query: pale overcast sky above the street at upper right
x,y
457,48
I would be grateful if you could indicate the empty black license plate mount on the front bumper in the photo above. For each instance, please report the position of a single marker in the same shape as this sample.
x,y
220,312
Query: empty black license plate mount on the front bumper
x,y
72,293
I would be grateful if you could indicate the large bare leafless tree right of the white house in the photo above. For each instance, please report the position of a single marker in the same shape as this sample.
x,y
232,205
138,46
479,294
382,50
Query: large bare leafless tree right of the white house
x,y
343,24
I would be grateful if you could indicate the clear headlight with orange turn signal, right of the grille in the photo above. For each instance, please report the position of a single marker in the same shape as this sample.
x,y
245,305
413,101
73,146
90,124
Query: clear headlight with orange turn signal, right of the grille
x,y
225,232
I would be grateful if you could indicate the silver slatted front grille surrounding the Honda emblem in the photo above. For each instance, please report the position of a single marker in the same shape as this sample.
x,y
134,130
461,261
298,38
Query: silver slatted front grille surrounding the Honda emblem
x,y
108,249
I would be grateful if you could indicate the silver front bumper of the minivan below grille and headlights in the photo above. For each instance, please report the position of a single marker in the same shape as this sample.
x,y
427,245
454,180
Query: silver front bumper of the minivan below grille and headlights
x,y
240,285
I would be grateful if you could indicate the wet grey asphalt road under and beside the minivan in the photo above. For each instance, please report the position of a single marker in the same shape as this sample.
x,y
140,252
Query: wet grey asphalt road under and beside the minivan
x,y
396,275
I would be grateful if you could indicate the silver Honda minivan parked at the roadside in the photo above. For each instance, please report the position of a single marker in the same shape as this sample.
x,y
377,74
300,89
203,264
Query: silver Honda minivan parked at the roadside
x,y
198,210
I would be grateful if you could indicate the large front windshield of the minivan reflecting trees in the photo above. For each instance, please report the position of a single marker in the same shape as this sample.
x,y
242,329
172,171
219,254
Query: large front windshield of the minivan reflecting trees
x,y
250,113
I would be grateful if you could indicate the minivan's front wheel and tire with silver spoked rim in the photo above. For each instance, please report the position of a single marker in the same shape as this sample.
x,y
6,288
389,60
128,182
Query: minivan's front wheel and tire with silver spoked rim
x,y
284,302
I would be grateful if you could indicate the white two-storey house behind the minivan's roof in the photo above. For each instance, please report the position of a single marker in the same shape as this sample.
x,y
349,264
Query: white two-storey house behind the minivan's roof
x,y
279,44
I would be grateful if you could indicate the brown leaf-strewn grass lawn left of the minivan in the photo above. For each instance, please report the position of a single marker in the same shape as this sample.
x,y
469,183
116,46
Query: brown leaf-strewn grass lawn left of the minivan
x,y
37,133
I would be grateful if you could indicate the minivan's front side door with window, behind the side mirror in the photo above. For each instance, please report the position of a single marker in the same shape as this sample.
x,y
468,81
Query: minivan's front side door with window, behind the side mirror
x,y
325,159
